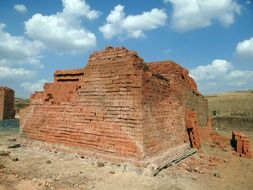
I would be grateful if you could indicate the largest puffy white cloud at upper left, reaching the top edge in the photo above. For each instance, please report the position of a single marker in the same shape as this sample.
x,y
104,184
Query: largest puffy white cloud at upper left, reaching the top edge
x,y
63,31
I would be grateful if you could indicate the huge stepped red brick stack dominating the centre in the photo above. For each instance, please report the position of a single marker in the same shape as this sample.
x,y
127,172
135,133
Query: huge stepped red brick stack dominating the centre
x,y
119,108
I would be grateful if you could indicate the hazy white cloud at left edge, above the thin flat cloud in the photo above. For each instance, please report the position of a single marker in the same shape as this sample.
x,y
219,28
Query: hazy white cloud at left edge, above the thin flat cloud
x,y
17,49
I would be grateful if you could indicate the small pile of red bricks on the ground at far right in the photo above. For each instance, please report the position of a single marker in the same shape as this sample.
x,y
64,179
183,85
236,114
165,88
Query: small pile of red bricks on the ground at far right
x,y
241,144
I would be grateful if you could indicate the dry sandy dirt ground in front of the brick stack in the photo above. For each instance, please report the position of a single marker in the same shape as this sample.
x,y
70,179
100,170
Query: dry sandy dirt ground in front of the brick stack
x,y
31,167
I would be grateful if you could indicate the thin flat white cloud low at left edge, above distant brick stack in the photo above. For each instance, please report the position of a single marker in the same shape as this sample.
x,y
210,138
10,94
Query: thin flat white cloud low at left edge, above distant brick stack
x,y
15,73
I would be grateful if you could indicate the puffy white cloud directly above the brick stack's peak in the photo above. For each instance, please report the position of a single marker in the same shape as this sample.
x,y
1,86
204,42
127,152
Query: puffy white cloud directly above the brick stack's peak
x,y
131,26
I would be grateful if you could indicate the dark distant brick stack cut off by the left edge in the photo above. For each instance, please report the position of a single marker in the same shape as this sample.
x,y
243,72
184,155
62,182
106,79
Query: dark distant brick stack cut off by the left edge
x,y
6,103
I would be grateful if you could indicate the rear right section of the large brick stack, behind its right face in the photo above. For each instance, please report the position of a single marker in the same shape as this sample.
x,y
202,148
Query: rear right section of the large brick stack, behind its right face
x,y
183,85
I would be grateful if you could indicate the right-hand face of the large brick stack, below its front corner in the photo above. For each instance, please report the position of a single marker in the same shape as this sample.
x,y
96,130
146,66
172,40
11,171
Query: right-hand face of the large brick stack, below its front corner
x,y
164,116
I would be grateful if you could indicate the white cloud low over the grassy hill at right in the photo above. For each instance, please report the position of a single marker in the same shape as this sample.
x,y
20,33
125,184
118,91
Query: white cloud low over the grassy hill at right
x,y
220,75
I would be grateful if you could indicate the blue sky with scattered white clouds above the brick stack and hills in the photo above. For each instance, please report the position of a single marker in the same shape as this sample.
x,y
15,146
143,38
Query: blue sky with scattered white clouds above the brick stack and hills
x,y
213,39
